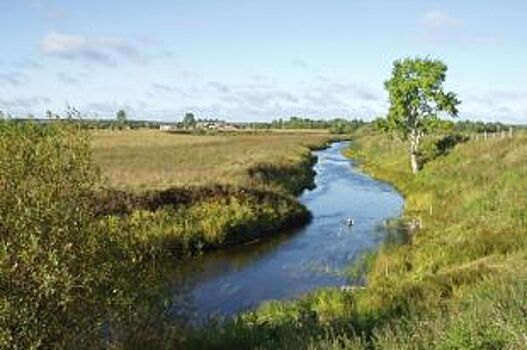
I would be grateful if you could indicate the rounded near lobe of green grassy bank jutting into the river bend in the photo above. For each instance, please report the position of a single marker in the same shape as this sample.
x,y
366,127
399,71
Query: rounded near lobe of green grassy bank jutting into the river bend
x,y
187,221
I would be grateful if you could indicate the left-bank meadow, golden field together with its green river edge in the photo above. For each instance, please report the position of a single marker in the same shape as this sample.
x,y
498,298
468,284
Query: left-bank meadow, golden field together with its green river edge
x,y
182,194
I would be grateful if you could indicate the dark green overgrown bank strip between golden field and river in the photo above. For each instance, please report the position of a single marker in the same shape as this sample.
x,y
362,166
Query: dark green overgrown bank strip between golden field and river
x,y
188,220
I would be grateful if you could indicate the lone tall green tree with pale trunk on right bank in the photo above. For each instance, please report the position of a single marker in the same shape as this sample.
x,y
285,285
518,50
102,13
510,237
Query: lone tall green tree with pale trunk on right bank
x,y
416,100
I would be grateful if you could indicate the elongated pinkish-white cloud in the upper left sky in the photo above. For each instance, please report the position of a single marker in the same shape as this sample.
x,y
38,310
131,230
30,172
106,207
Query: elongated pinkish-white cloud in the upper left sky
x,y
102,50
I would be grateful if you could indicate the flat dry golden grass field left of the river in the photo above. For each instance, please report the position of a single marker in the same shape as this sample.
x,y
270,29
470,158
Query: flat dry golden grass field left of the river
x,y
151,159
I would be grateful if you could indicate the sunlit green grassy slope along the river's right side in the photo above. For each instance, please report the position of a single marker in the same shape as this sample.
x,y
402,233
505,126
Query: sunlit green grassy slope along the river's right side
x,y
460,283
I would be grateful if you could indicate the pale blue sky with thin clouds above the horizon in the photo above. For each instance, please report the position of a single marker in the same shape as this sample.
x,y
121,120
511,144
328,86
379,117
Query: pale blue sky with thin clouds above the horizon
x,y
249,60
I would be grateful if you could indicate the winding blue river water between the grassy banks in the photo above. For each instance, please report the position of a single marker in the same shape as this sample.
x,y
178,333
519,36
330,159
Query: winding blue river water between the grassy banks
x,y
285,266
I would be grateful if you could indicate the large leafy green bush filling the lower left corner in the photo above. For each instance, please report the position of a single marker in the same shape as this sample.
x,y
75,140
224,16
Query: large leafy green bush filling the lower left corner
x,y
58,265
